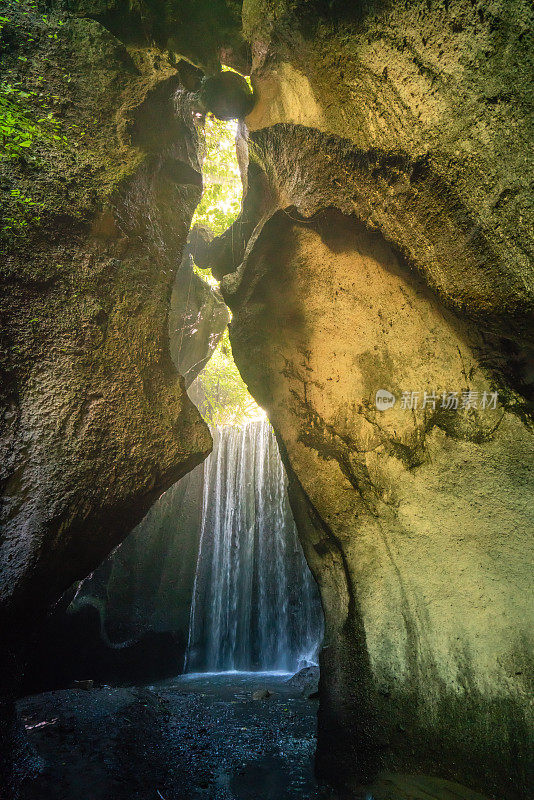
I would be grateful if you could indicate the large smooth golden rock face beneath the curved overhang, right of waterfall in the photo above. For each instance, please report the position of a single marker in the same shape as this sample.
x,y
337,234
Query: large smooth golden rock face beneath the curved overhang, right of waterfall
x,y
416,523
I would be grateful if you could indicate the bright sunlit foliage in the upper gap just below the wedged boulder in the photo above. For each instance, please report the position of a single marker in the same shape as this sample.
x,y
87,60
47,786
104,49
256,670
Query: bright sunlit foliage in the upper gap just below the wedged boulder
x,y
221,200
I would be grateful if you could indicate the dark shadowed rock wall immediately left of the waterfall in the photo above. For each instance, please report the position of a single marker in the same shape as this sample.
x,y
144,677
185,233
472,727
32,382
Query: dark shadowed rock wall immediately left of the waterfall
x,y
127,623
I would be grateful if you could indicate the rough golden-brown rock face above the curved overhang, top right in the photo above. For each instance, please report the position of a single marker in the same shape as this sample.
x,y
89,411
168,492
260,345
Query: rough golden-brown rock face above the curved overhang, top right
x,y
445,86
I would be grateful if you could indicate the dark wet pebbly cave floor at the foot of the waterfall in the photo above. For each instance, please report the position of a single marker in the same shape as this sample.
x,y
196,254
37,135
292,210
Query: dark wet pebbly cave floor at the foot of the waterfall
x,y
192,738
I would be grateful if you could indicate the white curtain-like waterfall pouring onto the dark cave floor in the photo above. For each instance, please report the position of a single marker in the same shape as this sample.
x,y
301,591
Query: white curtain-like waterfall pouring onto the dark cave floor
x,y
255,604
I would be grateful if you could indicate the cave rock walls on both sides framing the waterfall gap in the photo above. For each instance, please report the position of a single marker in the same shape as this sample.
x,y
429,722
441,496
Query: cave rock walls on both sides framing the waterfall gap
x,y
384,244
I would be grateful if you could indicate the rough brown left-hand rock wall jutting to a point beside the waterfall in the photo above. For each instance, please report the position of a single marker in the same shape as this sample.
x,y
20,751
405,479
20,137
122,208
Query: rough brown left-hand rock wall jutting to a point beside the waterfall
x,y
95,418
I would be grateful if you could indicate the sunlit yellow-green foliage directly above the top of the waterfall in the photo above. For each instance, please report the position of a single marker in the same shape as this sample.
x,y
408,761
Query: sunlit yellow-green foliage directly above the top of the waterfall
x,y
219,391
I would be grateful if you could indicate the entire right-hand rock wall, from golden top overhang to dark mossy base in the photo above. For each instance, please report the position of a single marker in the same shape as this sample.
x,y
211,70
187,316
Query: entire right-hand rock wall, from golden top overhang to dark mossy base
x,y
384,245
